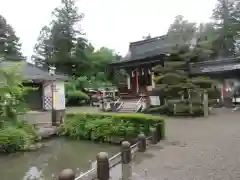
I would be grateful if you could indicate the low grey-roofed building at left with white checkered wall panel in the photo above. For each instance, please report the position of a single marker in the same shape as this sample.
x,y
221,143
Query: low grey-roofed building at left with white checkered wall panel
x,y
39,99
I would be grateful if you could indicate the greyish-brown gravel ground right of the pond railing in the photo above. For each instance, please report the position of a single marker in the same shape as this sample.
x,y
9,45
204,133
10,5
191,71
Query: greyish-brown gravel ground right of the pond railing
x,y
196,149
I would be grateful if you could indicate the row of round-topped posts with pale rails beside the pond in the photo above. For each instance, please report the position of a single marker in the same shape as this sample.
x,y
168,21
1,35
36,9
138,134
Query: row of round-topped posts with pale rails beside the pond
x,y
101,168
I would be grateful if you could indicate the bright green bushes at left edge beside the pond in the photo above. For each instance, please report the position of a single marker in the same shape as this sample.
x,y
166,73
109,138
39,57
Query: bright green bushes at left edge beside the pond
x,y
15,135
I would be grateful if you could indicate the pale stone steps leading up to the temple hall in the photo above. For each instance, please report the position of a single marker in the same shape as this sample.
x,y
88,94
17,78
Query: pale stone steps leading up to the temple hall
x,y
128,106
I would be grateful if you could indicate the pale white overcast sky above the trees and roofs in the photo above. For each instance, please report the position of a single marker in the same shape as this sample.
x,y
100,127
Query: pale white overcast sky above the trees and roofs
x,y
111,23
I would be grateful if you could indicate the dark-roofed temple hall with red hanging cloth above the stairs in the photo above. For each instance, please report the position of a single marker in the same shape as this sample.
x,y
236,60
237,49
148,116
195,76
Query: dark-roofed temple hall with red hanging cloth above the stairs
x,y
142,57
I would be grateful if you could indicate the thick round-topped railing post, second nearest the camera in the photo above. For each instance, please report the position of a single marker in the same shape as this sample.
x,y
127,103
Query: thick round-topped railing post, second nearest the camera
x,y
103,170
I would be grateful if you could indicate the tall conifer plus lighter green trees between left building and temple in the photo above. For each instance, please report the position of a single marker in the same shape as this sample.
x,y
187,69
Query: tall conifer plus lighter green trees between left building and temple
x,y
63,44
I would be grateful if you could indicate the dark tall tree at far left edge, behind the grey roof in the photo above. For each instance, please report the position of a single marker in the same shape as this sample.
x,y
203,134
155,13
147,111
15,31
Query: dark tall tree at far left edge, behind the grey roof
x,y
10,48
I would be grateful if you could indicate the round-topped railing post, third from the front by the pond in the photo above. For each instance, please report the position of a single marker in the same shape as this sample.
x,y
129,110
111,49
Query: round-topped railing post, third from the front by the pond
x,y
126,161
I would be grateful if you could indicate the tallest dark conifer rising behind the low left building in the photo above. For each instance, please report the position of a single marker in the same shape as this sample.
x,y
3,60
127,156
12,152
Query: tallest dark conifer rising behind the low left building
x,y
62,44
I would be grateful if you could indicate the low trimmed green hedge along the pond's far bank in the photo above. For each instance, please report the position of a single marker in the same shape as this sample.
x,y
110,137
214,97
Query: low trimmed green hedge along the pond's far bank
x,y
105,126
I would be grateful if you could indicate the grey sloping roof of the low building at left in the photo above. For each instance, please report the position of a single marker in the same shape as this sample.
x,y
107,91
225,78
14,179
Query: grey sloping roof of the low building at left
x,y
32,72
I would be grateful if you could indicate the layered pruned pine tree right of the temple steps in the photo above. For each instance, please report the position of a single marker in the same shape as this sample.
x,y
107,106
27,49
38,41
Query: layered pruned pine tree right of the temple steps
x,y
180,94
